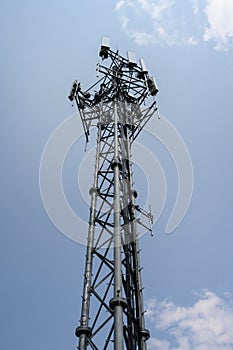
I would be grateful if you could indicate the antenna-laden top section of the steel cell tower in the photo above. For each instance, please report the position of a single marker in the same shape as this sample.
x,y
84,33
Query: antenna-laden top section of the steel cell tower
x,y
120,80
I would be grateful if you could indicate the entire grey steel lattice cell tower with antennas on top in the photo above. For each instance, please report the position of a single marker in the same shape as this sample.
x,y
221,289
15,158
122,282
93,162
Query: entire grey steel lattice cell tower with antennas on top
x,y
119,105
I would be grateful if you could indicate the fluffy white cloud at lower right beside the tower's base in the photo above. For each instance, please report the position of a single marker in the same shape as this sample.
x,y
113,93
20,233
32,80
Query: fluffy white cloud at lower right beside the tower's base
x,y
208,324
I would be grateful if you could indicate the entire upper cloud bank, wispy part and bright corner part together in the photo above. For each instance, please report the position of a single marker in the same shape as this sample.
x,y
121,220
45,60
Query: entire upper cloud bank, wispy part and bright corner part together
x,y
167,22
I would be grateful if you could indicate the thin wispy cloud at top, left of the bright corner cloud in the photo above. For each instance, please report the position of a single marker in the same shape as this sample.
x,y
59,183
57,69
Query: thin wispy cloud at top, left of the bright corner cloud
x,y
154,22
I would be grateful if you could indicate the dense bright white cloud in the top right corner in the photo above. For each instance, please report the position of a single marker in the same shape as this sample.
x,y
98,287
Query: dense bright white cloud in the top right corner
x,y
219,14
